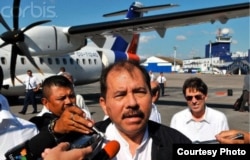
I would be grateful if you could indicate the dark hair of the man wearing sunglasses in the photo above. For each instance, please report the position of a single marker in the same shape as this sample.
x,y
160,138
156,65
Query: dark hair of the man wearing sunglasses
x,y
195,83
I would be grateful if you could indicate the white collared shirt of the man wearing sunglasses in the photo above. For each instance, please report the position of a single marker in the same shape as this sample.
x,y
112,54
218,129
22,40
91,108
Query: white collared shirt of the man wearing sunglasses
x,y
213,123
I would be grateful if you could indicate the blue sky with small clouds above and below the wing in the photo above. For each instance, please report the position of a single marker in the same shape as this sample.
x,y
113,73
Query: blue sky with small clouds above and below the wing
x,y
190,41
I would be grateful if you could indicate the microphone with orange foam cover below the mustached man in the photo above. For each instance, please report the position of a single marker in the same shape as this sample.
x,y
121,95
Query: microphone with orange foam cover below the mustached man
x,y
108,152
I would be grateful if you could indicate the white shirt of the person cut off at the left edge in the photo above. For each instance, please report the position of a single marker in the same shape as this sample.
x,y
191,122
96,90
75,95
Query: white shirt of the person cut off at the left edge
x,y
13,130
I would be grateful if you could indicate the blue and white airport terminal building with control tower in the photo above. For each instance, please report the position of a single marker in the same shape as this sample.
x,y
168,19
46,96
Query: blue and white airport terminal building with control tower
x,y
219,59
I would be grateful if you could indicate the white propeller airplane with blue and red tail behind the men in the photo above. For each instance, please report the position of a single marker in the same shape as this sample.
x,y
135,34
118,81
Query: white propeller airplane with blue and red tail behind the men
x,y
47,48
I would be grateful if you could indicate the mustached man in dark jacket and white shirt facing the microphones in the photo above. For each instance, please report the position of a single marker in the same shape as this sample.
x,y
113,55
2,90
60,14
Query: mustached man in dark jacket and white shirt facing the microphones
x,y
126,99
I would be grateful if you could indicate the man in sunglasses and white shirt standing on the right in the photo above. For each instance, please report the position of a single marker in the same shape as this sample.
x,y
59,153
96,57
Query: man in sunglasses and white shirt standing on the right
x,y
198,122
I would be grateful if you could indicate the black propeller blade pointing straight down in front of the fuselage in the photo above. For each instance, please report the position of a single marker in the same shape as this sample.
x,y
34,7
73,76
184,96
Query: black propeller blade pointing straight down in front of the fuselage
x,y
14,52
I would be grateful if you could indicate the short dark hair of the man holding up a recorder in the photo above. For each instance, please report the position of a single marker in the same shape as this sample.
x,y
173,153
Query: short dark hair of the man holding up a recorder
x,y
56,80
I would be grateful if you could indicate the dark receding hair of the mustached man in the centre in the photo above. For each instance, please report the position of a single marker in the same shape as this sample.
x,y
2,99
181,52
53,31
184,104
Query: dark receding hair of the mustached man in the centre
x,y
128,65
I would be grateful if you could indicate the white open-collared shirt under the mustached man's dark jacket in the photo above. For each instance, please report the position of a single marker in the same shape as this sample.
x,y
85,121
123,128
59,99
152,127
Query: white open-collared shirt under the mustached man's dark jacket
x,y
142,152
